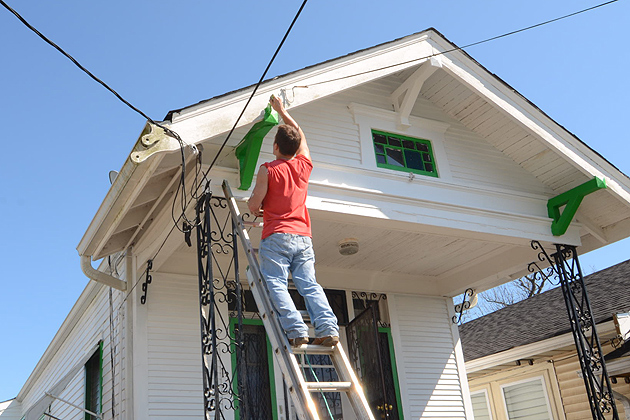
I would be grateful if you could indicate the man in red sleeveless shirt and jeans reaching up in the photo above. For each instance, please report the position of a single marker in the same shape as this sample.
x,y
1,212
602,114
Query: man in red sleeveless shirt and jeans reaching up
x,y
286,246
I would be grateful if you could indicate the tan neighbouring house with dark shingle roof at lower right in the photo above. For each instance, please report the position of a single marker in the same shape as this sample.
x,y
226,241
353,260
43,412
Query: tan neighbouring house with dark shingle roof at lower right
x,y
525,353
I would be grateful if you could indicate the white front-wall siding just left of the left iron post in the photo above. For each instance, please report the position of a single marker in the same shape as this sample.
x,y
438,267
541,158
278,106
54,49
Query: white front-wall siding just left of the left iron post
x,y
174,354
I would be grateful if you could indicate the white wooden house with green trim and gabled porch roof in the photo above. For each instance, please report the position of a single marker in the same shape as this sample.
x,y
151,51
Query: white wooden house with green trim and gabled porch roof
x,y
437,168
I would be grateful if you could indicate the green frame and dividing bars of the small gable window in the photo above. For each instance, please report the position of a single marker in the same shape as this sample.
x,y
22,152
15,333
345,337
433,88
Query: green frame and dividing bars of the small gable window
x,y
426,154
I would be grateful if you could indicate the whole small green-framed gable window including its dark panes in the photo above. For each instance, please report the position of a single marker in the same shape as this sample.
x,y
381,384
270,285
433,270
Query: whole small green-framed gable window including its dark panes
x,y
403,153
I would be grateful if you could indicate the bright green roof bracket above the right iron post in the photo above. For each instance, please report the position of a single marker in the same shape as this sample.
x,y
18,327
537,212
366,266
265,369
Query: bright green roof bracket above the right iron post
x,y
572,200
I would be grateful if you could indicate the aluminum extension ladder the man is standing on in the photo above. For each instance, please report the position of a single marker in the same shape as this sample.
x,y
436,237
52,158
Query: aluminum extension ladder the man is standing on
x,y
284,354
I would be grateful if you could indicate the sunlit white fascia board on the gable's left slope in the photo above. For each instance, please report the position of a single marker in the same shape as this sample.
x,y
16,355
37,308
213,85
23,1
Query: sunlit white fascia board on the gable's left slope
x,y
206,120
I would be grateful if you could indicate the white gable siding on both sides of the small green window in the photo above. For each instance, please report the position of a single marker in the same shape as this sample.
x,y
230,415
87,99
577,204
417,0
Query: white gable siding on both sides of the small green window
x,y
334,139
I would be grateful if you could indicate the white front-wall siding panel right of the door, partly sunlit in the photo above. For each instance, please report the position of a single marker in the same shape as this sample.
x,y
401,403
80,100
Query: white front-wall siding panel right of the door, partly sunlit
x,y
425,355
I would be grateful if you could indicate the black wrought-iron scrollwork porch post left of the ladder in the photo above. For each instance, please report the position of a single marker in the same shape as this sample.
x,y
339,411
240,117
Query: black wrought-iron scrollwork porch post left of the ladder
x,y
219,392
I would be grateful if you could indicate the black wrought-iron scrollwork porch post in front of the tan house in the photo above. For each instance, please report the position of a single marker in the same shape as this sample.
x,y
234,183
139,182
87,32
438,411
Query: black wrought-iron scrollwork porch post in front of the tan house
x,y
564,265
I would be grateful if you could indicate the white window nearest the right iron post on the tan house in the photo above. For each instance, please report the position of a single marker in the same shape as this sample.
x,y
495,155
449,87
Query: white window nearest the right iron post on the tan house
x,y
526,401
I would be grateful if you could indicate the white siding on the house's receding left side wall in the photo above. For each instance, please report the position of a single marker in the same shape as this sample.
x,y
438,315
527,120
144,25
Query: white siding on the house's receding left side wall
x,y
93,325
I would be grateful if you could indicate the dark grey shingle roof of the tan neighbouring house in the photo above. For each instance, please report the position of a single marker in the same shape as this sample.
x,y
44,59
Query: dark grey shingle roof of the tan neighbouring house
x,y
545,315
